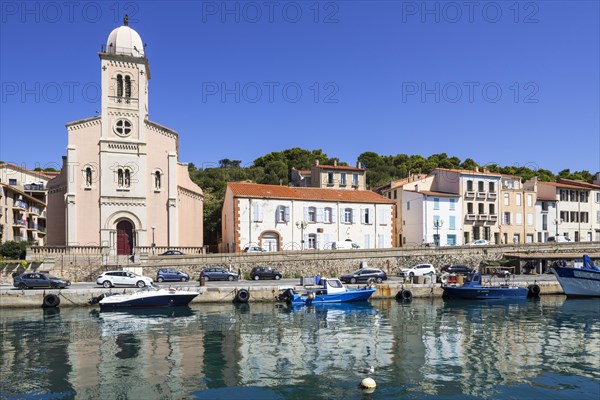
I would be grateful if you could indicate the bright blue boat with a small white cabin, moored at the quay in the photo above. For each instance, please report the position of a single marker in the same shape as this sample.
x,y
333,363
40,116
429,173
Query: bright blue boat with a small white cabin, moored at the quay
x,y
332,290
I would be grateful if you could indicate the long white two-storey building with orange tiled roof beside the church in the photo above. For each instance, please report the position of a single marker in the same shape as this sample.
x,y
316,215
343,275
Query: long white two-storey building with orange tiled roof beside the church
x,y
293,218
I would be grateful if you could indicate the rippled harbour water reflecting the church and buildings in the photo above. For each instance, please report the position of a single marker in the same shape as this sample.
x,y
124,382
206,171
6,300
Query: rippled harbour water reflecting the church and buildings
x,y
427,348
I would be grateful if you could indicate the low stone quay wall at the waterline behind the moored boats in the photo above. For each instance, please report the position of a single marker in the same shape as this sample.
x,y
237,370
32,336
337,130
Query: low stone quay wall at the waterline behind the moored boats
x,y
11,298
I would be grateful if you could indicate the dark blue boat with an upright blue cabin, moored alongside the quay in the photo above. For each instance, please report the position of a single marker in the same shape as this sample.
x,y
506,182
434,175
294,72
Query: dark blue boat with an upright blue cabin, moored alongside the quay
x,y
472,289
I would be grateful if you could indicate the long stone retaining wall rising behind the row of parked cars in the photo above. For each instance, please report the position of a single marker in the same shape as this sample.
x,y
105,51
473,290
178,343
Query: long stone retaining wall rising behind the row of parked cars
x,y
84,265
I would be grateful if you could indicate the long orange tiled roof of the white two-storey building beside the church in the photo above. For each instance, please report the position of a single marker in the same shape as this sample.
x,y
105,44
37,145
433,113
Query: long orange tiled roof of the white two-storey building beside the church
x,y
255,190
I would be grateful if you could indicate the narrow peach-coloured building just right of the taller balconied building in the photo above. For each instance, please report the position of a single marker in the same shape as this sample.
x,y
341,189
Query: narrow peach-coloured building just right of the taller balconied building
x,y
517,210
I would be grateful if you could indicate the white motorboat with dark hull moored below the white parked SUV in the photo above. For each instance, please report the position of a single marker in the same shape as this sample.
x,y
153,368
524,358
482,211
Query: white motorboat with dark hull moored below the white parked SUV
x,y
149,296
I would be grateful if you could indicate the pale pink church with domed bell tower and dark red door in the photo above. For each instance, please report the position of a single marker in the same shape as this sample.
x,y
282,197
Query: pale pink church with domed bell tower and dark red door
x,y
121,185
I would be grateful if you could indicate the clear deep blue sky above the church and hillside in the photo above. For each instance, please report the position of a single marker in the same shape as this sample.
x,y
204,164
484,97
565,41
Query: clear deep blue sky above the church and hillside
x,y
500,82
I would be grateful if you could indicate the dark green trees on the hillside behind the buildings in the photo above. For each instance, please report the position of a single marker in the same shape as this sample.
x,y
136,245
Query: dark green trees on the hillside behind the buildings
x,y
275,169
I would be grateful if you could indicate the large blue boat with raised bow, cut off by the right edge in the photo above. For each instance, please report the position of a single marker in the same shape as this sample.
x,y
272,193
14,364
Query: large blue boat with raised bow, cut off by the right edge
x,y
579,282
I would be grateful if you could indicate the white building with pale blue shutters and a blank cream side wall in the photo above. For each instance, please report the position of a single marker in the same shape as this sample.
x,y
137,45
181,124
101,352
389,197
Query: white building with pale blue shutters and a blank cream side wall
x,y
431,217
